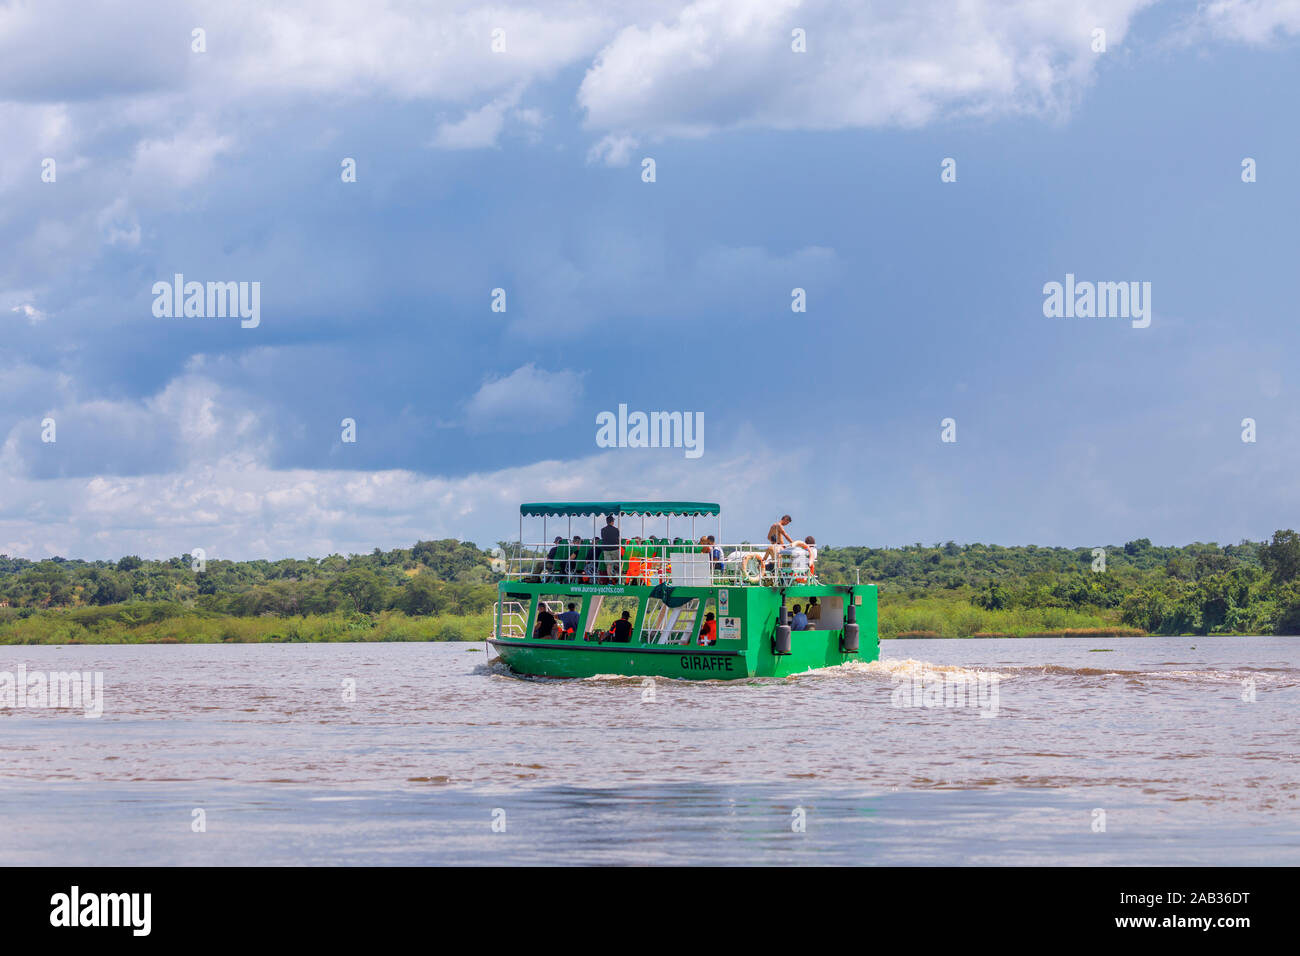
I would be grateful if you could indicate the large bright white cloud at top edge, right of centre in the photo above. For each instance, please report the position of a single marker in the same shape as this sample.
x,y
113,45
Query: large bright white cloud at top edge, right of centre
x,y
725,64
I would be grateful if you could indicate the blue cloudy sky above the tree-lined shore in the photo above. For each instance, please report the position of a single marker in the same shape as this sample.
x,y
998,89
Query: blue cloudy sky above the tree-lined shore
x,y
504,146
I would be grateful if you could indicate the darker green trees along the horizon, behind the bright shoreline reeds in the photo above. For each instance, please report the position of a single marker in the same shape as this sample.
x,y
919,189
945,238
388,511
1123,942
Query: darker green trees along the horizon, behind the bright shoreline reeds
x,y
1199,589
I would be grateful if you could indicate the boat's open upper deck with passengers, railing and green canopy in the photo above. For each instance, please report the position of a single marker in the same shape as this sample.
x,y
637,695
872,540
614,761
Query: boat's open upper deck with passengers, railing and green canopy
x,y
634,555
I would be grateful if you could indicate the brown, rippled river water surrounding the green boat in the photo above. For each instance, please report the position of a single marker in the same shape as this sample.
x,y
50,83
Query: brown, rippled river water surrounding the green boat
x,y
1164,751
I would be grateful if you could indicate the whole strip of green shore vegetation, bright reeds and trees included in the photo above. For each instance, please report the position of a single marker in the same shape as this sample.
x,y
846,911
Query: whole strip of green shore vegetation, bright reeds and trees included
x,y
445,591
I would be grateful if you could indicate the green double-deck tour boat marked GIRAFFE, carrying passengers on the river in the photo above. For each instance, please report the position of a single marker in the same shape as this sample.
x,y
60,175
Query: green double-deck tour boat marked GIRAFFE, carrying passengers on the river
x,y
690,608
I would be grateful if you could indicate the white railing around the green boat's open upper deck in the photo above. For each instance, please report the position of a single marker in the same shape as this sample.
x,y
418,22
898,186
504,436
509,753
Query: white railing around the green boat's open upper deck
x,y
657,563
